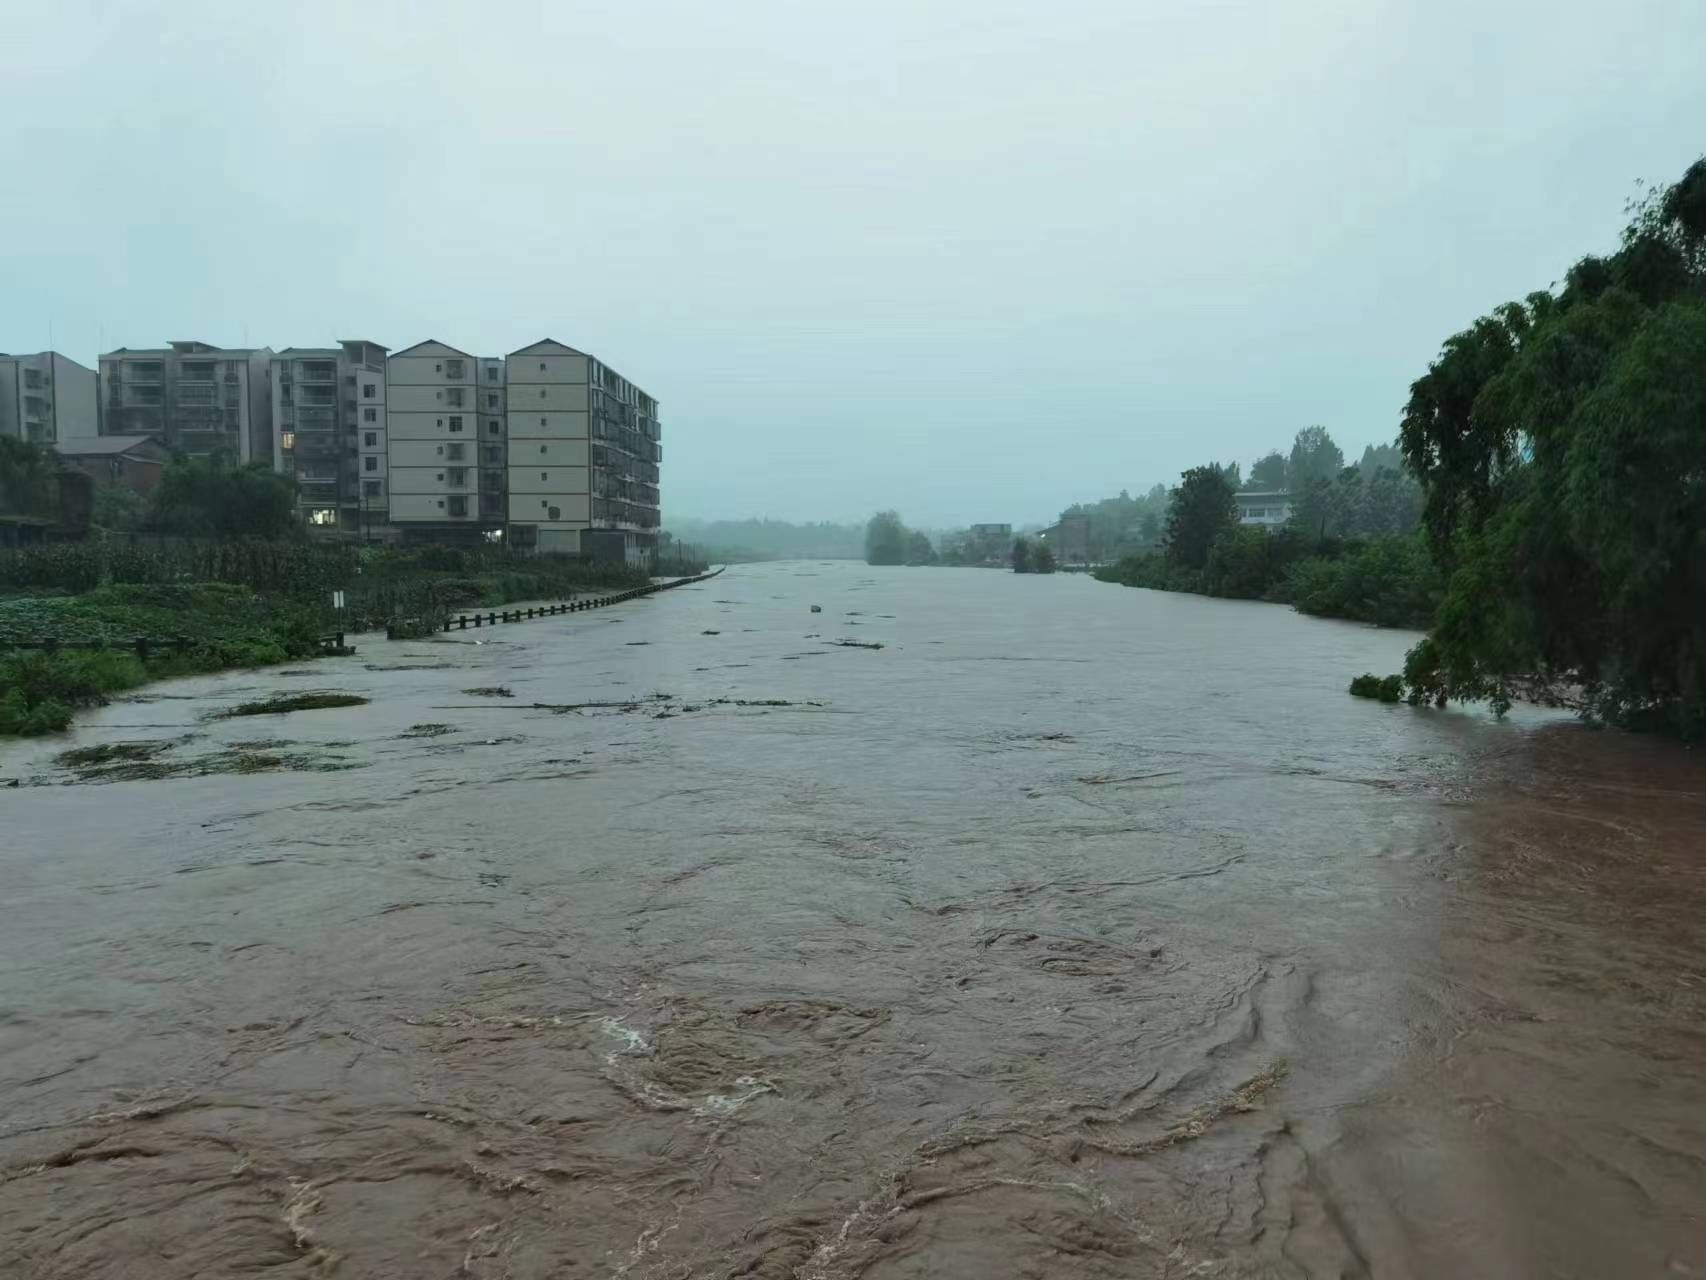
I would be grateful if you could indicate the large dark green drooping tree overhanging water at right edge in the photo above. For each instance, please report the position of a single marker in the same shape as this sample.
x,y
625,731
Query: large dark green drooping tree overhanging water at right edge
x,y
1560,450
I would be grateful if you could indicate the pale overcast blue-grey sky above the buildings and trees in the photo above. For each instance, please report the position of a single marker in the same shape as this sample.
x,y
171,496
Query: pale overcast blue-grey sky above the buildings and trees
x,y
973,260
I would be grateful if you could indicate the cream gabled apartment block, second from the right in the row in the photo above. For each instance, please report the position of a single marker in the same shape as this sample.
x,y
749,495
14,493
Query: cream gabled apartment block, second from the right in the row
x,y
439,412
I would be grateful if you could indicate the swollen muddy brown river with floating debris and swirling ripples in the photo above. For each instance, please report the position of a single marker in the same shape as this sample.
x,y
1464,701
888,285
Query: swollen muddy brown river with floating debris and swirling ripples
x,y
1074,933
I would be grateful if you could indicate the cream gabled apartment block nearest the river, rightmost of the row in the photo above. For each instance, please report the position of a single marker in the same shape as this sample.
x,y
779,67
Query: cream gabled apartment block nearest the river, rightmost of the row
x,y
584,451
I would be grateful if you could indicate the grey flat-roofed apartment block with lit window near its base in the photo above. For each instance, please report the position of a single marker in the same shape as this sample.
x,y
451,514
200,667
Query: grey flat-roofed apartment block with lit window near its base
x,y
328,407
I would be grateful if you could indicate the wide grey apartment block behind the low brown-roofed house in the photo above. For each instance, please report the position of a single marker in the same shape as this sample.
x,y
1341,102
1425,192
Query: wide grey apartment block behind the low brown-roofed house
x,y
197,399
